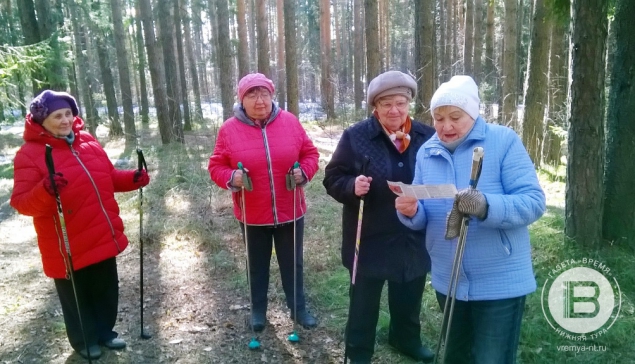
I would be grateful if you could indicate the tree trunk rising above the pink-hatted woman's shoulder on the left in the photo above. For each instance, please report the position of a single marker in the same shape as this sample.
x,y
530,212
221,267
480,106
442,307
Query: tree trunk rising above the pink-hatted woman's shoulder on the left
x,y
225,59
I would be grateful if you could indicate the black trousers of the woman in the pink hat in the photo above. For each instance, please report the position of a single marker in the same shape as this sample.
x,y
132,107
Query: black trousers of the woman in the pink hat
x,y
260,239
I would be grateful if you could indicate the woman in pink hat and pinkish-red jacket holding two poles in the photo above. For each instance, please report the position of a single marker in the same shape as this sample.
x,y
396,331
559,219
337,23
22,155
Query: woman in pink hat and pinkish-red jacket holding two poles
x,y
268,141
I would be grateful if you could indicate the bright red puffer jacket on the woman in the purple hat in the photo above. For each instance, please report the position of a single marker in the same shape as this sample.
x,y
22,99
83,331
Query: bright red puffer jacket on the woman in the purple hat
x,y
95,230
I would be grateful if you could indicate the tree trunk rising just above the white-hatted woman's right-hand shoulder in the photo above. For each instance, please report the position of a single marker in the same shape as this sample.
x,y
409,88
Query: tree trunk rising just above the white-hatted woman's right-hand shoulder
x,y
510,66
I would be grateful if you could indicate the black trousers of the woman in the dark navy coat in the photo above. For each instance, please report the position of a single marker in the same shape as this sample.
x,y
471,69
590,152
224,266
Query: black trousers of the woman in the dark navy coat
x,y
404,304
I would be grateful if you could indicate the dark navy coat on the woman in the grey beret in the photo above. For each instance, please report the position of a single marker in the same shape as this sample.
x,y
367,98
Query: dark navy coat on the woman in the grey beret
x,y
388,249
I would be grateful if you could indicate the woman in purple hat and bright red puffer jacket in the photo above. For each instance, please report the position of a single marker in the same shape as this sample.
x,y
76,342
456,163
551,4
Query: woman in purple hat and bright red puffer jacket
x,y
86,182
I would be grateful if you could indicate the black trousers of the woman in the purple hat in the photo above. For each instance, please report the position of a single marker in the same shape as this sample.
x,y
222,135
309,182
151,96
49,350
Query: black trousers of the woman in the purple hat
x,y
98,292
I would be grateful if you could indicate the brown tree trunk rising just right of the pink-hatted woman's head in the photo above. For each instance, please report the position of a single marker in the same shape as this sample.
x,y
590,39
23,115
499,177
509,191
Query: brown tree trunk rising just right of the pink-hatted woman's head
x,y
291,60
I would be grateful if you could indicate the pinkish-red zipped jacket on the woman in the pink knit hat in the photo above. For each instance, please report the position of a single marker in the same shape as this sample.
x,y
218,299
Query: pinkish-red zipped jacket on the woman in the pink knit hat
x,y
267,153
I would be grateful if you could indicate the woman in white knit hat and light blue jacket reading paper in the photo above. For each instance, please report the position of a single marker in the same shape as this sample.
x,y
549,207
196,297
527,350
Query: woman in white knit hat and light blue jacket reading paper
x,y
496,273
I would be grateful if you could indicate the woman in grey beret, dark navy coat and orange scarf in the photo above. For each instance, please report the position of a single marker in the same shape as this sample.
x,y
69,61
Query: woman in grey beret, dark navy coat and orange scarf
x,y
379,149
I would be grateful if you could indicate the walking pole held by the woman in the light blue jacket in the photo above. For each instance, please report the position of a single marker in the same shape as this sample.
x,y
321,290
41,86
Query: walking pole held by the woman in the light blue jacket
x,y
446,324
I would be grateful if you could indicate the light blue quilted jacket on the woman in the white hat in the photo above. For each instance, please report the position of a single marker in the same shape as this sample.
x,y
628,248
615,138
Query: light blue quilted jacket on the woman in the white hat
x,y
497,259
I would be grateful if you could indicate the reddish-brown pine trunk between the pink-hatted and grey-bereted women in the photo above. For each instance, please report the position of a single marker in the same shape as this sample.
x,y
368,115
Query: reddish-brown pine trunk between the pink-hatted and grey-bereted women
x,y
326,86
